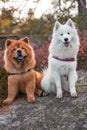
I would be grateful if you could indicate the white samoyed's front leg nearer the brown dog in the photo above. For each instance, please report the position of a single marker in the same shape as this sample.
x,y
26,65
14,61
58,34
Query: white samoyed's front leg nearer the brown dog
x,y
57,79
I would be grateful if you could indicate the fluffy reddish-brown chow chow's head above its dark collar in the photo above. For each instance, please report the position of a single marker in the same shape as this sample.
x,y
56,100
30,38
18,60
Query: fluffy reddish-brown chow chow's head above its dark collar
x,y
19,55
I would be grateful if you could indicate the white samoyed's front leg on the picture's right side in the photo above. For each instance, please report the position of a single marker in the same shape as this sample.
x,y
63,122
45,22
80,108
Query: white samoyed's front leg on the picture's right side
x,y
72,82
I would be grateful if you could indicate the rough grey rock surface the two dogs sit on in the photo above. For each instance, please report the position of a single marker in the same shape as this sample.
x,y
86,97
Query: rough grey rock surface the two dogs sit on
x,y
48,113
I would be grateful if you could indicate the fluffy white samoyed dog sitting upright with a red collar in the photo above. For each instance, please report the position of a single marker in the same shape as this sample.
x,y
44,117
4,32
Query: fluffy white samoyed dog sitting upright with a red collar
x,y
62,61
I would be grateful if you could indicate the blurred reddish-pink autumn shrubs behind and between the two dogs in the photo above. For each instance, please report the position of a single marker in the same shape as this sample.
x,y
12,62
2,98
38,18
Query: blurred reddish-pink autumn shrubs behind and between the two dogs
x,y
41,52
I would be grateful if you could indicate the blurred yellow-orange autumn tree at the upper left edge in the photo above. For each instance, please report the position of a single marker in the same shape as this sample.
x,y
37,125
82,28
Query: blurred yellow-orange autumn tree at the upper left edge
x,y
7,21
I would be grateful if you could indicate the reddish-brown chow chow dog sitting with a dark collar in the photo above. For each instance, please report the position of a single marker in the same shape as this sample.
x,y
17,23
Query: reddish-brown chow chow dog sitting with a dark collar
x,y
19,62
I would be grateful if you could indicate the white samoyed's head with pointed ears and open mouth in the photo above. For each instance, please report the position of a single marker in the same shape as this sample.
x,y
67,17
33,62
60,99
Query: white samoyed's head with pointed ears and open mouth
x,y
66,34
